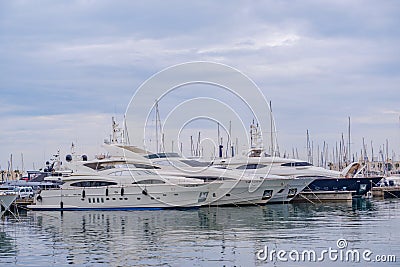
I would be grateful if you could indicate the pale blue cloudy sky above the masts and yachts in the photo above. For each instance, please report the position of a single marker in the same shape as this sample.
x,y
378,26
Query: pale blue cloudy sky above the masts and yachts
x,y
67,67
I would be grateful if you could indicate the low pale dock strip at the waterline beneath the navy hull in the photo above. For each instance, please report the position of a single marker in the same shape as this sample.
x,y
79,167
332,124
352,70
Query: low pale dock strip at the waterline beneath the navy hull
x,y
323,196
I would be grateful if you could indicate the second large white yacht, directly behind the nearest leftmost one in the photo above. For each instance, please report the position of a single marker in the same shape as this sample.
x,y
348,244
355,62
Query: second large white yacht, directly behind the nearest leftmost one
x,y
236,188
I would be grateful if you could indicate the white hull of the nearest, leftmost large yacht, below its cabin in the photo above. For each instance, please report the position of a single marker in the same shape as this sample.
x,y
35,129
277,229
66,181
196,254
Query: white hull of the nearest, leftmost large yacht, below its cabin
x,y
126,197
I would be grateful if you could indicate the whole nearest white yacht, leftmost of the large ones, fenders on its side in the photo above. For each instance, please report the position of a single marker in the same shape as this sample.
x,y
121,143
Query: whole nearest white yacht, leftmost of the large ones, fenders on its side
x,y
123,188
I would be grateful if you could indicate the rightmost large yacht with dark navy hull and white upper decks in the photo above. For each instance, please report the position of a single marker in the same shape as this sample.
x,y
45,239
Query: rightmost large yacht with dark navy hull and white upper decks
x,y
256,160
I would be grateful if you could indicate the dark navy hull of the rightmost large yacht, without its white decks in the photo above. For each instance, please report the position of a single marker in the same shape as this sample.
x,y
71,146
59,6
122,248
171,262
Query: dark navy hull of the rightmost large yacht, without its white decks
x,y
358,186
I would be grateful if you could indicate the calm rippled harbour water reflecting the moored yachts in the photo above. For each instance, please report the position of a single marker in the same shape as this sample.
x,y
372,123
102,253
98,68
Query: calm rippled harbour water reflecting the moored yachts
x,y
229,236
